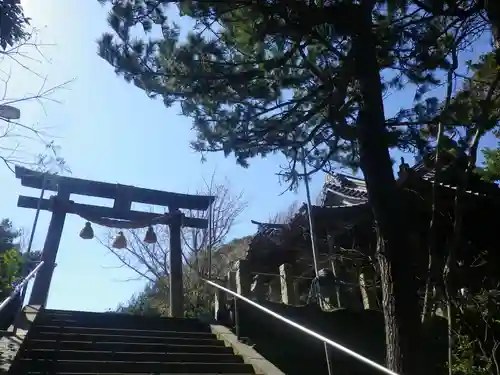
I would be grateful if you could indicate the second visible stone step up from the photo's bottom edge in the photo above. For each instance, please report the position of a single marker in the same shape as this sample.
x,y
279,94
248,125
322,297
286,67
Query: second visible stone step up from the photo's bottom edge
x,y
137,357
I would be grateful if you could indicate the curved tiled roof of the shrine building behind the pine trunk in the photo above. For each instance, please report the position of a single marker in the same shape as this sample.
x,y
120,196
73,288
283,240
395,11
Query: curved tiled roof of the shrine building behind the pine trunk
x,y
345,206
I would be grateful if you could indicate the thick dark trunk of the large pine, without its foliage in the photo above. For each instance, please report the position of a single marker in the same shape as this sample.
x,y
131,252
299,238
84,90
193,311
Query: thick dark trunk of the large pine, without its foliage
x,y
399,287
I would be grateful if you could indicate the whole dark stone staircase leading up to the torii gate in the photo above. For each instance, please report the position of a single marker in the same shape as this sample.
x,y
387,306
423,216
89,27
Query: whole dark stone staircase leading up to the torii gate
x,y
73,342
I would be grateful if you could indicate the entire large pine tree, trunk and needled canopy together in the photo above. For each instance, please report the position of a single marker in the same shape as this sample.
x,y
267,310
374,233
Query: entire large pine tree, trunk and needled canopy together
x,y
303,79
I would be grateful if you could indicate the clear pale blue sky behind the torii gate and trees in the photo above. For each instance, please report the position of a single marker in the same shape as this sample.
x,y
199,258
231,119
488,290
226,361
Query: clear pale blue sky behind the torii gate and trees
x,y
110,131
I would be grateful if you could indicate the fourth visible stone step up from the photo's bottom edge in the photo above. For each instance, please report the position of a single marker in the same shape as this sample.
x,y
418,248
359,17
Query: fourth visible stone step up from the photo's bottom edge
x,y
123,338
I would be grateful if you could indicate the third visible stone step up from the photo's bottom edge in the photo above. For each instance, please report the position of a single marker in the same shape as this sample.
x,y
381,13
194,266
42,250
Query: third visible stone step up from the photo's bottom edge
x,y
130,347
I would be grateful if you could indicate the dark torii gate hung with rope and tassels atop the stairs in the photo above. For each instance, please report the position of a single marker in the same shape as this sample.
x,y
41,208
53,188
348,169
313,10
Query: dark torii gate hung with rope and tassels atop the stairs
x,y
123,196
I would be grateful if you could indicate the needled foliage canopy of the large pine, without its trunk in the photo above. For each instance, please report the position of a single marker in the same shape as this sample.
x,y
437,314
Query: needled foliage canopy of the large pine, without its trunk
x,y
276,77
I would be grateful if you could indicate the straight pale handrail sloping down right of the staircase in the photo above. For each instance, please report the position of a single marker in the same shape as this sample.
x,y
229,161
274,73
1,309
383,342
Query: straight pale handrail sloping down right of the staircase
x,y
307,331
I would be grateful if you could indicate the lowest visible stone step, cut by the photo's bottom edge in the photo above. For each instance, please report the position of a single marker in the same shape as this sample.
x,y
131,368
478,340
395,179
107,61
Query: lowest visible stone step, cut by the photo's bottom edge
x,y
30,366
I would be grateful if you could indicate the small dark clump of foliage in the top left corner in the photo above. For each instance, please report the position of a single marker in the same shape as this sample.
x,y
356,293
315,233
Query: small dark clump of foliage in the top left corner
x,y
12,24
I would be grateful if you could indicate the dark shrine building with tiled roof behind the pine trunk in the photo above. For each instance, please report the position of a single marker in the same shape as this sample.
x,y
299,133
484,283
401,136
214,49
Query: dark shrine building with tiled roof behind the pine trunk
x,y
279,257
